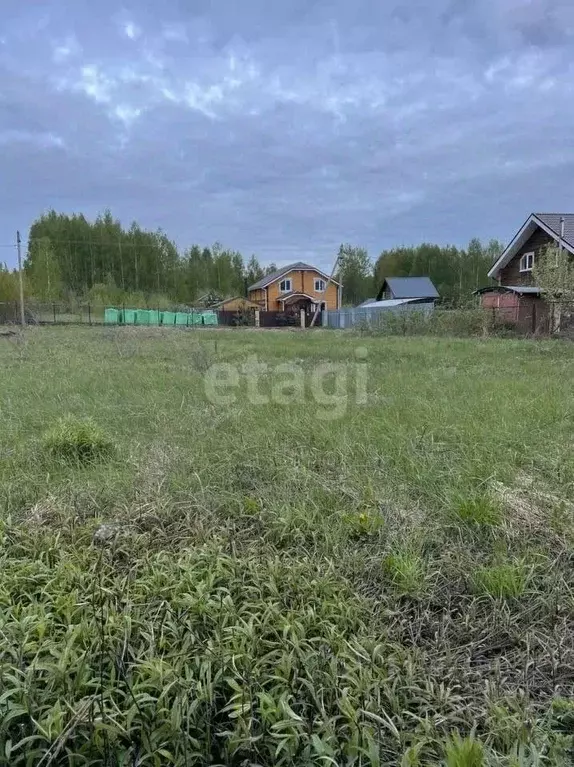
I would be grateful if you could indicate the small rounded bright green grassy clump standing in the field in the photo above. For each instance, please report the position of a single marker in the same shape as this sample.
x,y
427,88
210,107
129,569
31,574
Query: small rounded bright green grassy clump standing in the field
x,y
76,440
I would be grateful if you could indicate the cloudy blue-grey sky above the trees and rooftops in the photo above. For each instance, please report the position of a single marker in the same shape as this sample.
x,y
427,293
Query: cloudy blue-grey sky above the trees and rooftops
x,y
285,128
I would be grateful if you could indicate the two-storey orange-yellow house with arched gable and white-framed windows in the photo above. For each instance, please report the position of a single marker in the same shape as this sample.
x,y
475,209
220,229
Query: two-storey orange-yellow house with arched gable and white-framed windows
x,y
294,287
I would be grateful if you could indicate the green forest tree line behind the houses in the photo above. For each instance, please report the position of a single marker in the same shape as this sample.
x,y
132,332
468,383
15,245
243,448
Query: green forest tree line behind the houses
x,y
71,259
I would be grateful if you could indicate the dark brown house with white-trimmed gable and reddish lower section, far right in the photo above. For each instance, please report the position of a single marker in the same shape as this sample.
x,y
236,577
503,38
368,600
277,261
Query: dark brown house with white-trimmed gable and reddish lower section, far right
x,y
516,298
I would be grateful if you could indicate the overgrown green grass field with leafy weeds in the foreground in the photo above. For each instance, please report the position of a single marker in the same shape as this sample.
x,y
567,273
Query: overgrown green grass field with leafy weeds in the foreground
x,y
307,580
